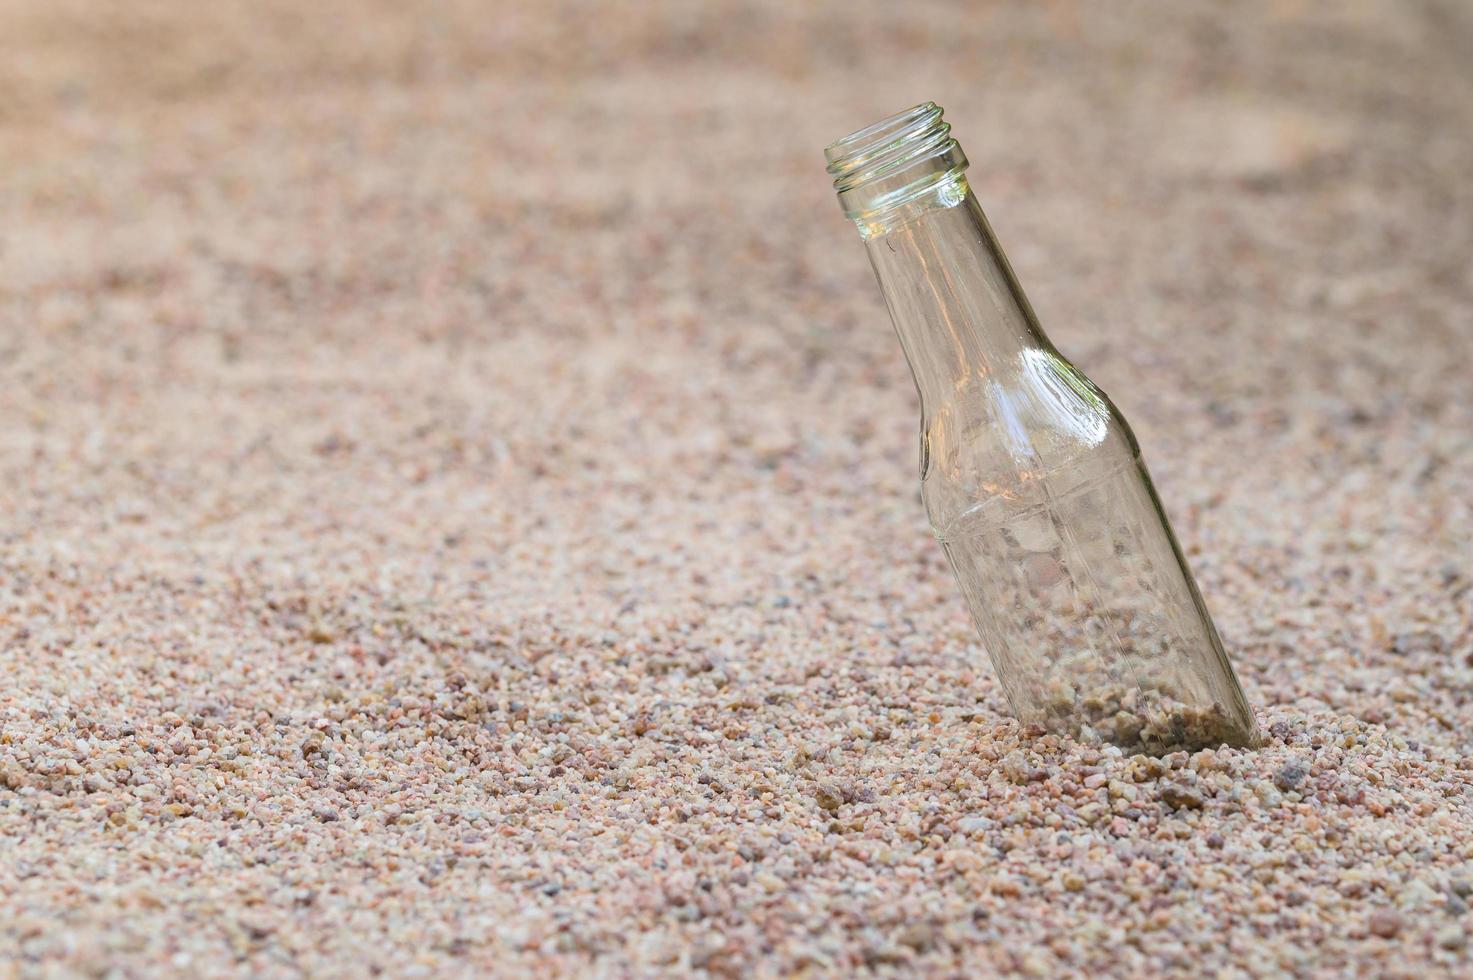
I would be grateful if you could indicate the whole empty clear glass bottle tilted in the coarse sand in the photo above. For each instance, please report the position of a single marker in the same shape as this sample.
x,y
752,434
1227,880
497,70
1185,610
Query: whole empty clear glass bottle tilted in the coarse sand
x,y
1032,480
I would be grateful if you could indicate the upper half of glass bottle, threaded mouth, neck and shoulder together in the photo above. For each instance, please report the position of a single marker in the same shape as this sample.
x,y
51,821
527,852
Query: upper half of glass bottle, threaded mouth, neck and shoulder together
x,y
1001,407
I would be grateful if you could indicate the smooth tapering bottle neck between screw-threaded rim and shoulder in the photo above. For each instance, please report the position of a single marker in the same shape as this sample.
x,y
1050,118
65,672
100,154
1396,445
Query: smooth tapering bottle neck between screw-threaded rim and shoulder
x,y
954,298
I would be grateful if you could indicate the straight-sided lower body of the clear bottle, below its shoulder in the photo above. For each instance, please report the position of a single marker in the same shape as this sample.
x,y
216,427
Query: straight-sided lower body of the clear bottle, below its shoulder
x,y
1088,615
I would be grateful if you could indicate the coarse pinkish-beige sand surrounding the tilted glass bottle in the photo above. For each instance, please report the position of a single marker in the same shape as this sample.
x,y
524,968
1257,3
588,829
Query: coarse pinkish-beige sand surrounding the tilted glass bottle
x,y
459,490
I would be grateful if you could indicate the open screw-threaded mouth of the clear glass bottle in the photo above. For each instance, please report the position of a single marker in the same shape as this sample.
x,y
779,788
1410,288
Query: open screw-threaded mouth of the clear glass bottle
x,y
895,161
